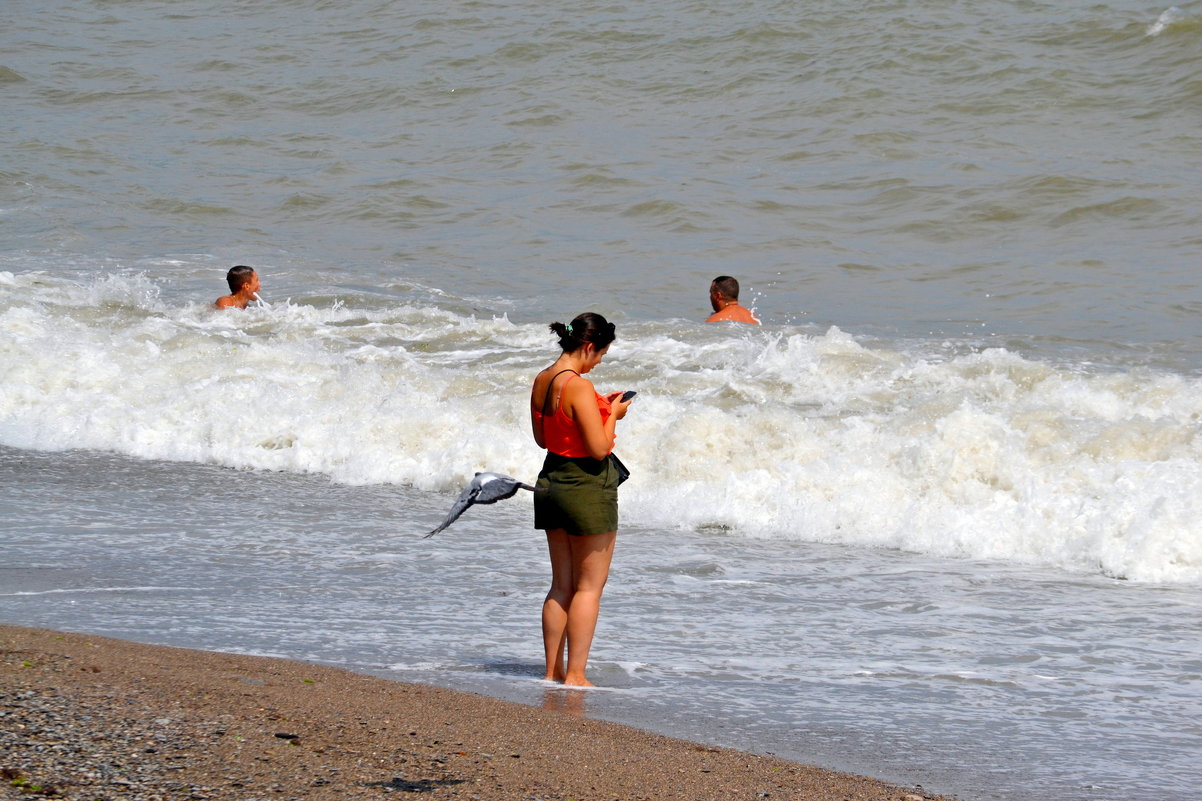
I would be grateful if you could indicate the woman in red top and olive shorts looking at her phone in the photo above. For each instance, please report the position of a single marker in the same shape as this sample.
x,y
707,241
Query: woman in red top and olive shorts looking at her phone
x,y
579,507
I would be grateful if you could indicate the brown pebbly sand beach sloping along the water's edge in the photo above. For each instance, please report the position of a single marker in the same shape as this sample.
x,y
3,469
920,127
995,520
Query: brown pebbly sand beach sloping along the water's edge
x,y
88,719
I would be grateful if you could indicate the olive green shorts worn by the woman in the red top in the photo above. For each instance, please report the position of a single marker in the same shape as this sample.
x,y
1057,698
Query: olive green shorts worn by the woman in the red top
x,y
581,496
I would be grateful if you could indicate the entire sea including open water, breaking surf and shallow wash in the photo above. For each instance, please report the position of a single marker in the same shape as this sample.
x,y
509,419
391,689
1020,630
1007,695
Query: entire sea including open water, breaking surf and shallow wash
x,y
936,521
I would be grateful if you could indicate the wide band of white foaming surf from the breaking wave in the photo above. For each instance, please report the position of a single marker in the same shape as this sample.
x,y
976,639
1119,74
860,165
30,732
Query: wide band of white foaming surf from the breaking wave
x,y
777,434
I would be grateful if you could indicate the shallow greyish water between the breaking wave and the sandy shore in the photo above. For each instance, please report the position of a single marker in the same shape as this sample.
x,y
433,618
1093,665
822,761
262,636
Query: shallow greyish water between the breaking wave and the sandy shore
x,y
983,679
